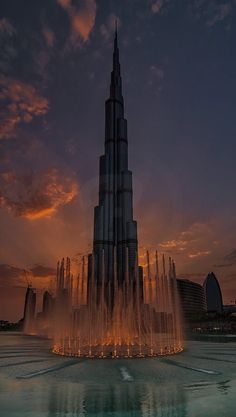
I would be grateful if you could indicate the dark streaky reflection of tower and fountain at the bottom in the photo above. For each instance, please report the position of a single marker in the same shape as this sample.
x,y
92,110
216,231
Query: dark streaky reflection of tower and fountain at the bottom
x,y
142,399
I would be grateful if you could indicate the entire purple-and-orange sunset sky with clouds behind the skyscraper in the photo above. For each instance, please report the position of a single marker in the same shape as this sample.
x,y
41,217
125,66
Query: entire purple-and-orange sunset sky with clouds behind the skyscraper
x,y
178,65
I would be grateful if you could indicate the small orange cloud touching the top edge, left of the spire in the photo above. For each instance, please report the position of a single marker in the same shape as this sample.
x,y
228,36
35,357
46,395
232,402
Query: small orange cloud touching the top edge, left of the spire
x,y
82,17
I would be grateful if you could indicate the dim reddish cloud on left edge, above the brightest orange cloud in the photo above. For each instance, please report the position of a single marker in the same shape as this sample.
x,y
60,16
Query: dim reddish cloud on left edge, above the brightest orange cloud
x,y
20,103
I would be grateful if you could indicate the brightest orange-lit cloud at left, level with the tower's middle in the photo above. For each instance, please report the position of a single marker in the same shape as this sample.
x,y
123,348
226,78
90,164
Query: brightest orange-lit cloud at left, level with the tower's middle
x,y
34,196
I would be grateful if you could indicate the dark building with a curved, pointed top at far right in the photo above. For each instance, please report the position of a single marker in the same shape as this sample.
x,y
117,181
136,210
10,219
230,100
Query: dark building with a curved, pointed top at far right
x,y
213,294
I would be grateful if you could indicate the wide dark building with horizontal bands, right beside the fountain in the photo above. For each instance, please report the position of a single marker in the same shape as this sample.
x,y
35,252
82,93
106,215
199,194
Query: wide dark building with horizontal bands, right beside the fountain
x,y
192,297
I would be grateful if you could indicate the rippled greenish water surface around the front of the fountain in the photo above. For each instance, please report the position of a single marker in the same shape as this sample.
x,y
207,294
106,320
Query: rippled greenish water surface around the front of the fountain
x,y
201,382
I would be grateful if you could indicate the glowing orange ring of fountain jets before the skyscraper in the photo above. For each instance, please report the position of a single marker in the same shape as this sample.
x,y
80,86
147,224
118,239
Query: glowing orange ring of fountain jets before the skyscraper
x,y
87,325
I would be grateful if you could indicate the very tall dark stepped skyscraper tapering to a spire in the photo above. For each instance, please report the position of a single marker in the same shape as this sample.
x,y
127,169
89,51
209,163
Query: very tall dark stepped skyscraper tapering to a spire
x,y
115,245
